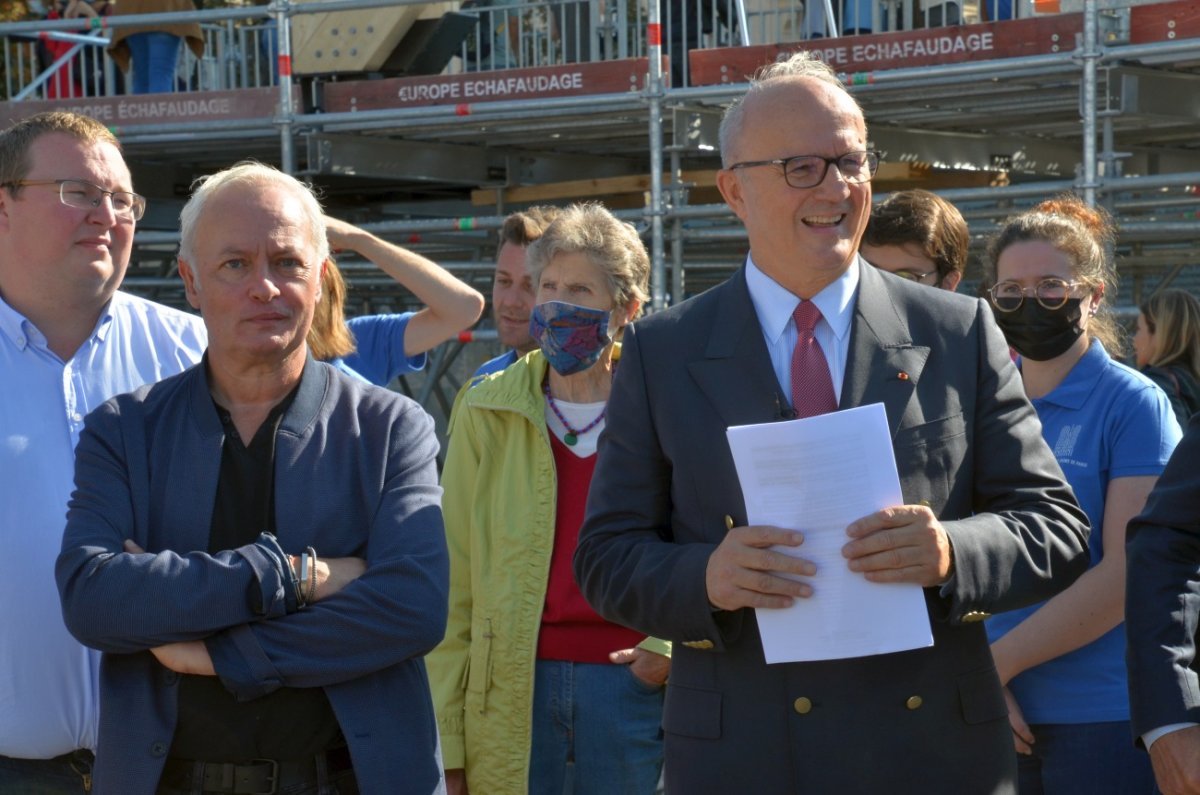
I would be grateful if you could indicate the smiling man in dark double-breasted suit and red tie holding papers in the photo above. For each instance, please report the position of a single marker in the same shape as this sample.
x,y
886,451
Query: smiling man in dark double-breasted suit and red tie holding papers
x,y
989,525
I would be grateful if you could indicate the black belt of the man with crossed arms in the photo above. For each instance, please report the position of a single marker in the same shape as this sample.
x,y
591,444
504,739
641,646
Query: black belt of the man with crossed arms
x,y
254,778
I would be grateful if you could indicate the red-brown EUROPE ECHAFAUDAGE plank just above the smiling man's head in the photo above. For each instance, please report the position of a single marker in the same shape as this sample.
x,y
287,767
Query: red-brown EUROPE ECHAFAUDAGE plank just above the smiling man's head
x,y
861,56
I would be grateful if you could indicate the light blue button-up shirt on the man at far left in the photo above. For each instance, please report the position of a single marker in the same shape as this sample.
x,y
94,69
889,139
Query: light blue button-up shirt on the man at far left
x,y
49,683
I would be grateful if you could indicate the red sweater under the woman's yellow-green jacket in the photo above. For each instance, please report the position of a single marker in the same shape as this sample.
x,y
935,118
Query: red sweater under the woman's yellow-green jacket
x,y
571,629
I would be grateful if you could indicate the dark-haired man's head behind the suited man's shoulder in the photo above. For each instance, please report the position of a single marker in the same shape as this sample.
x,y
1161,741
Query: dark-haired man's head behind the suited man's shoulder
x,y
919,236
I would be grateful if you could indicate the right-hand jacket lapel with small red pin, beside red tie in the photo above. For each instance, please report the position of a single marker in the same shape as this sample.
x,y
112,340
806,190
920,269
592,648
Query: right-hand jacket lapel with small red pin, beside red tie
x,y
884,366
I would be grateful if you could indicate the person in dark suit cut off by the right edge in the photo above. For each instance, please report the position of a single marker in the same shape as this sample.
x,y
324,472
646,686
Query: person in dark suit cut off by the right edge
x,y
1162,614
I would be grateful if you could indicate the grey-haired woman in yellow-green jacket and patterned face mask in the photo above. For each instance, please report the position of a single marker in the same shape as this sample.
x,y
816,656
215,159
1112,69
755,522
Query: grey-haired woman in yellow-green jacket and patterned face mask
x,y
535,691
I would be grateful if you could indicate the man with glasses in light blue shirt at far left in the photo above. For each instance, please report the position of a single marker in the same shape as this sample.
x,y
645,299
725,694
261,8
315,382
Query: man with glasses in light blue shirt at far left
x,y
69,340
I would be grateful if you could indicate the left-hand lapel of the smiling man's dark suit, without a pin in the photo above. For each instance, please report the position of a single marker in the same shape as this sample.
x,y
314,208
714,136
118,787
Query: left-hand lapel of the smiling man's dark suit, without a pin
x,y
736,374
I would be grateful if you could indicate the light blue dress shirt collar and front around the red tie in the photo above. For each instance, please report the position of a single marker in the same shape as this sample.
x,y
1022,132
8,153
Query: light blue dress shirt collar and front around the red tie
x,y
776,304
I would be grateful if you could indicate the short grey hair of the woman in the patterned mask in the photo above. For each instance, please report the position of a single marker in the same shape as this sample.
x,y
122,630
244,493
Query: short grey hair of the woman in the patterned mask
x,y
609,243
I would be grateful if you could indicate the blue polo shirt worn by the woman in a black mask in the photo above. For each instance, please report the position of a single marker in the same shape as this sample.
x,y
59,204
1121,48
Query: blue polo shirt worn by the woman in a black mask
x,y
1103,422
